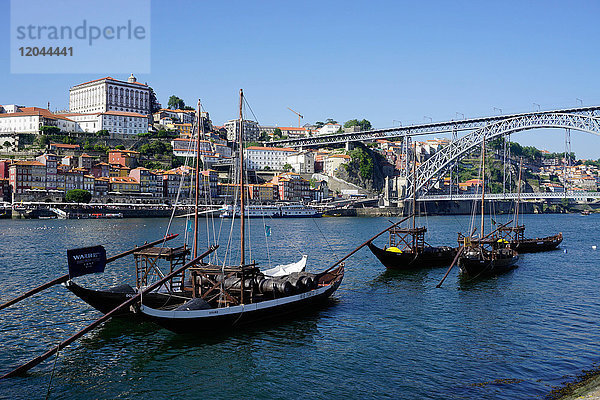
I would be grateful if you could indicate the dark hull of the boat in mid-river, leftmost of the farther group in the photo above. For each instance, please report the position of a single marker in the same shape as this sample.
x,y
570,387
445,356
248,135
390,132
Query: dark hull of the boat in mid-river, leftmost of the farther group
x,y
434,257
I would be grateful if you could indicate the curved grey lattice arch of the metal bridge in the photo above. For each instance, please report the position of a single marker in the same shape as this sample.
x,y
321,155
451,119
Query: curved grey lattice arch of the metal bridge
x,y
439,163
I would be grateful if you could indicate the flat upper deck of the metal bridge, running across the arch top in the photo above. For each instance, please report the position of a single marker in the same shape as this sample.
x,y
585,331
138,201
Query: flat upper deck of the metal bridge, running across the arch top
x,y
421,129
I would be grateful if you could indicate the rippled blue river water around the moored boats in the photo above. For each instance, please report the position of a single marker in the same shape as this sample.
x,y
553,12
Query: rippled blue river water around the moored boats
x,y
383,335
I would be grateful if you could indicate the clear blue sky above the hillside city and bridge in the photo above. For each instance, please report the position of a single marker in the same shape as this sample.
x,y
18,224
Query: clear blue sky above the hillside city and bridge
x,y
380,60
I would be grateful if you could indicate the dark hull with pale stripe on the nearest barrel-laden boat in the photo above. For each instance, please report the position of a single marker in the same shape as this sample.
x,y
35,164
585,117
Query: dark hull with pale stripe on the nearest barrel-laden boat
x,y
217,319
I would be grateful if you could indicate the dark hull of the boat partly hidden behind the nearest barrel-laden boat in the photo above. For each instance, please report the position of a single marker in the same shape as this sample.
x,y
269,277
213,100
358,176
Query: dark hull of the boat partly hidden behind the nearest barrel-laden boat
x,y
105,301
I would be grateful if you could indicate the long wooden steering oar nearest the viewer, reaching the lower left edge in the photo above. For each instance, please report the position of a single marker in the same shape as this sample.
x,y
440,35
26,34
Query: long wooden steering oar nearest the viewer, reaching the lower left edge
x,y
26,367
